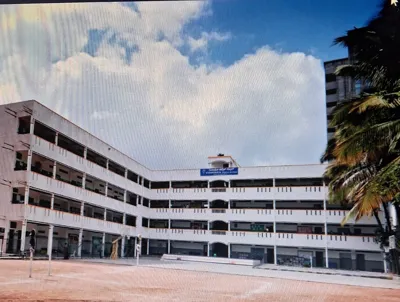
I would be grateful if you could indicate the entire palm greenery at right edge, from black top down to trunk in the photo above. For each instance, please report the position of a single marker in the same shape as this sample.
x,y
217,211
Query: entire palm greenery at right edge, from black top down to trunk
x,y
365,149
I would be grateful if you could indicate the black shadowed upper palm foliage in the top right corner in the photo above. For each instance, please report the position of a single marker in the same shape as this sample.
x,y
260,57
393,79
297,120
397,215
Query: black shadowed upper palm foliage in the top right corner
x,y
374,49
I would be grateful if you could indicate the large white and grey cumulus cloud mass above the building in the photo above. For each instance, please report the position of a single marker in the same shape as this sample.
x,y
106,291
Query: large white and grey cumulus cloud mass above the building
x,y
267,107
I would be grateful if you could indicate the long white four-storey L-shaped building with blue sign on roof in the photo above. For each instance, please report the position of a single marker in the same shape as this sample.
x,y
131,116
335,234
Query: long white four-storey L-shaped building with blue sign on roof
x,y
72,187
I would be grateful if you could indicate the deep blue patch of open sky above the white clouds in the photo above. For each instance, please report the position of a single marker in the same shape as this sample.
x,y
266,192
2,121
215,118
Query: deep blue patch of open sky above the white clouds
x,y
294,25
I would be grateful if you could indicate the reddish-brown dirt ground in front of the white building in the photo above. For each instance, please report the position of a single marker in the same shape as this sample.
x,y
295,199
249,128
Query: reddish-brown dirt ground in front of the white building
x,y
73,281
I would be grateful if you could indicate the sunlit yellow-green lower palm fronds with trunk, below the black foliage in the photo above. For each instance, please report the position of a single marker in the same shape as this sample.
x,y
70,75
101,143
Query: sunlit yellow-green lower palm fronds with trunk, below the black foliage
x,y
365,150
